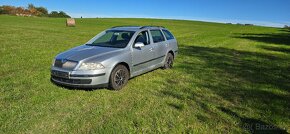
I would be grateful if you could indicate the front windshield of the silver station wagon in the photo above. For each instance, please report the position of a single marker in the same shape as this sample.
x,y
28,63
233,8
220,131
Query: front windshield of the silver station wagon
x,y
112,38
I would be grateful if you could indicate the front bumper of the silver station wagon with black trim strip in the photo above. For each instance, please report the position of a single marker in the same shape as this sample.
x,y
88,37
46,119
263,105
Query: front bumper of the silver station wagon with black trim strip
x,y
90,79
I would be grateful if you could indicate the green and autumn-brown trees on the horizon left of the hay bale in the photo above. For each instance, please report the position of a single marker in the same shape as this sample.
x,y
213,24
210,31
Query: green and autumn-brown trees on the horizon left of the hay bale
x,y
31,10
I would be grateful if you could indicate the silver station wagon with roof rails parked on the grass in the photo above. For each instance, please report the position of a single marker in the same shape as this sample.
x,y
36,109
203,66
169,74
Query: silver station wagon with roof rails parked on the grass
x,y
112,57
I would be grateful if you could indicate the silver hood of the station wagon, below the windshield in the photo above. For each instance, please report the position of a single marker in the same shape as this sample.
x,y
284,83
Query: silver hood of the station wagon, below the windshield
x,y
85,52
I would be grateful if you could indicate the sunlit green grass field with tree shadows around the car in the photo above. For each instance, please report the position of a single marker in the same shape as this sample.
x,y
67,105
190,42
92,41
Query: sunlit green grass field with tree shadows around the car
x,y
226,79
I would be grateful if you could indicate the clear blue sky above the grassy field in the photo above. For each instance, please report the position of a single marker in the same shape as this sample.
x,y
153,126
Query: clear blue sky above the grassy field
x,y
274,13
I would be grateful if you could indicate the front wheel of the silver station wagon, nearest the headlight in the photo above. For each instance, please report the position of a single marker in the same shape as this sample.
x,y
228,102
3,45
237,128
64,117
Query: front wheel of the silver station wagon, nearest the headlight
x,y
119,77
